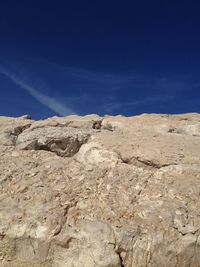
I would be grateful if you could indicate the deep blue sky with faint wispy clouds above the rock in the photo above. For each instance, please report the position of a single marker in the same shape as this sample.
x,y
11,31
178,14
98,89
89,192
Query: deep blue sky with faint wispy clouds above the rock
x,y
105,57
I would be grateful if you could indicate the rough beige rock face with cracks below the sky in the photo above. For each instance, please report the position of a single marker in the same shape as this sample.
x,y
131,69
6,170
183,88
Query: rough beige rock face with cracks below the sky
x,y
100,191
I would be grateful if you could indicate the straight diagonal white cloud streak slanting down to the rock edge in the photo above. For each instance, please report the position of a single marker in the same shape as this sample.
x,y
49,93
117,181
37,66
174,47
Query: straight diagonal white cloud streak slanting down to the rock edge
x,y
46,100
